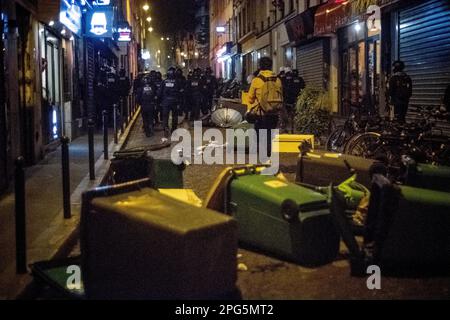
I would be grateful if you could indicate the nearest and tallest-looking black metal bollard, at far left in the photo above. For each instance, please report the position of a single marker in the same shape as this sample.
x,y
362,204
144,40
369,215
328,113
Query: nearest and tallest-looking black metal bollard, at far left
x,y
21,229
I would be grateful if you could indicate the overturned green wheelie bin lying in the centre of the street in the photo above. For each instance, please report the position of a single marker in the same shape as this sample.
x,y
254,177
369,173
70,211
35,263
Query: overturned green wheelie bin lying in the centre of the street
x,y
282,218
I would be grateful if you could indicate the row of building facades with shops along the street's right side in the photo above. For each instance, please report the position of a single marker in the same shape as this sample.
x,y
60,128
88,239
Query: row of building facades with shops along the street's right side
x,y
345,47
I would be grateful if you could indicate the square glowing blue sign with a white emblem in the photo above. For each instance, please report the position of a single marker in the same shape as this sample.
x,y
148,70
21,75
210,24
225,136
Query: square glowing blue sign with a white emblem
x,y
100,22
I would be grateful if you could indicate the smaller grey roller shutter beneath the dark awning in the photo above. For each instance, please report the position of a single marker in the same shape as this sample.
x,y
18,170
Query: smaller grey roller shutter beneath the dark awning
x,y
310,63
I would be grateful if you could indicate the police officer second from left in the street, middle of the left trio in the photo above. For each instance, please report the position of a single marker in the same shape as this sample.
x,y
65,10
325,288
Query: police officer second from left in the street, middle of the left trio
x,y
169,94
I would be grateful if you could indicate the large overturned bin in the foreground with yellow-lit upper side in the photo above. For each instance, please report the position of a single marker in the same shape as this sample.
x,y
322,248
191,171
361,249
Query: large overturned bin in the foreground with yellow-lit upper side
x,y
137,243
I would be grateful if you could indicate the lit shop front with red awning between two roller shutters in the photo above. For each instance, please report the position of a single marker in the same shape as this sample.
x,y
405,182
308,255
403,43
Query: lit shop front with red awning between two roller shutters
x,y
355,33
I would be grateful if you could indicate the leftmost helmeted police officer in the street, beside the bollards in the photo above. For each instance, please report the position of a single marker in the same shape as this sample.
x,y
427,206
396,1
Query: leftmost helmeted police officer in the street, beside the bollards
x,y
147,97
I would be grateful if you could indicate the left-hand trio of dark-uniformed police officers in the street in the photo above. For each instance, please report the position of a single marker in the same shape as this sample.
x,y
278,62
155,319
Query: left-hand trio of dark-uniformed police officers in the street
x,y
177,95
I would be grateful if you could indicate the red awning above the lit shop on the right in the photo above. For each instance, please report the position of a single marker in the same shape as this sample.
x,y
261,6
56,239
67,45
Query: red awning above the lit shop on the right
x,y
331,16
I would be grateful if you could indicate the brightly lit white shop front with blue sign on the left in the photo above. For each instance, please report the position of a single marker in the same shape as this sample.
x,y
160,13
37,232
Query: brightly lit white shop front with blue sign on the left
x,y
60,30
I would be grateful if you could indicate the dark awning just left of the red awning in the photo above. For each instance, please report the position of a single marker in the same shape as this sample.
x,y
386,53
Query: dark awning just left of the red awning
x,y
301,26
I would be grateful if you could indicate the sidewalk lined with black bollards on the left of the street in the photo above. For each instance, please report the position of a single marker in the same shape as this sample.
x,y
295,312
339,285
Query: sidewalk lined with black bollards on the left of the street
x,y
47,231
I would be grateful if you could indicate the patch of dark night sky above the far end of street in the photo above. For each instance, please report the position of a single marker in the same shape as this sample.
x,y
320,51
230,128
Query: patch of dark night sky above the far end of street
x,y
171,16
